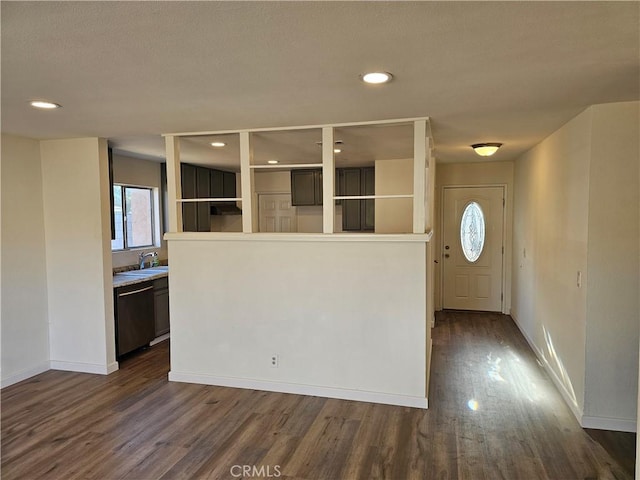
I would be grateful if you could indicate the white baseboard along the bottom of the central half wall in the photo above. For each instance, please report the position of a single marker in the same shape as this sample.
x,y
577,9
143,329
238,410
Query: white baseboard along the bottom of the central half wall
x,y
315,391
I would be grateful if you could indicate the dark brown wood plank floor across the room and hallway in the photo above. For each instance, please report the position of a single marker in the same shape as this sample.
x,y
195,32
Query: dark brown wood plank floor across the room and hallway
x,y
493,415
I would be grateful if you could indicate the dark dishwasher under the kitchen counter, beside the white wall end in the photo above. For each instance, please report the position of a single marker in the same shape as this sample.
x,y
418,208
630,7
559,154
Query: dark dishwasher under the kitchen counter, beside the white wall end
x,y
135,317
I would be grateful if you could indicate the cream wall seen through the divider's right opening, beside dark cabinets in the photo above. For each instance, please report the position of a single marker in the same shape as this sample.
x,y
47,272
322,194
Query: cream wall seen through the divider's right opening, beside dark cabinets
x,y
394,177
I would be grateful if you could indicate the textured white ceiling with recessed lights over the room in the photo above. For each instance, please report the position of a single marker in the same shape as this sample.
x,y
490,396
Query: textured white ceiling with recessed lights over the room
x,y
509,72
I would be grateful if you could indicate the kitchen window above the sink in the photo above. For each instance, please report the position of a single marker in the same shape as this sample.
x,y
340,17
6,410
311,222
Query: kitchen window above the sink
x,y
133,216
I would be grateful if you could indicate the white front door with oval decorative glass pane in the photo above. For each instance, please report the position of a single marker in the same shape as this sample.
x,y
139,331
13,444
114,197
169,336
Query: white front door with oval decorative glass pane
x,y
473,250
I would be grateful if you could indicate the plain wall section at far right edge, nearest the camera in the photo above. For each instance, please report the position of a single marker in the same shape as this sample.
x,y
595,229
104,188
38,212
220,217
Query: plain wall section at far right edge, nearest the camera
x,y
613,263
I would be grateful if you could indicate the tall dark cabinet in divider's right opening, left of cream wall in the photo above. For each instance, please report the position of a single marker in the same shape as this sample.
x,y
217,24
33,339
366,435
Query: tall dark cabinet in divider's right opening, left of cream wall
x,y
357,215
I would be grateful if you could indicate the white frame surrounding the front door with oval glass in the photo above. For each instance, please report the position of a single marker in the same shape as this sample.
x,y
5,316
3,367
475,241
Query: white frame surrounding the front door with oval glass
x,y
439,256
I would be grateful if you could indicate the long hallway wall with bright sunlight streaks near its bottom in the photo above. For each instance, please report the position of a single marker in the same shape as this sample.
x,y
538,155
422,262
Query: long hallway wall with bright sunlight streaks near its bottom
x,y
550,247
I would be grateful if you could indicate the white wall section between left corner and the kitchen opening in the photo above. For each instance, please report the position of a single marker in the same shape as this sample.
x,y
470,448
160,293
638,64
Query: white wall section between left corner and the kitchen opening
x,y
78,250
